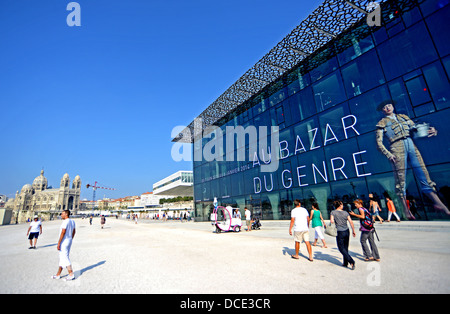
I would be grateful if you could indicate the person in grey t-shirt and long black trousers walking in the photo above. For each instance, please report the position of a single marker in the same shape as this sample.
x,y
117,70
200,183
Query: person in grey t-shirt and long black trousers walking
x,y
340,218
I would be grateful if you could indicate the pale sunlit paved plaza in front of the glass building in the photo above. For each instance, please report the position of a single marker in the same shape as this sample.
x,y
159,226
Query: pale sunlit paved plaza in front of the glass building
x,y
189,258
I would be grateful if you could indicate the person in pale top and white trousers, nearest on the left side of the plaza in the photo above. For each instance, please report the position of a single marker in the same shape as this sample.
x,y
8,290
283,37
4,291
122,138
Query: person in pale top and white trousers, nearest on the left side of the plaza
x,y
67,233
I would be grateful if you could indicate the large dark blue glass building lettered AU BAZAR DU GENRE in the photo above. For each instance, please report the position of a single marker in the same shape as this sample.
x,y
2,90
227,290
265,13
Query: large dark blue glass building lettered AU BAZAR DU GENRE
x,y
325,107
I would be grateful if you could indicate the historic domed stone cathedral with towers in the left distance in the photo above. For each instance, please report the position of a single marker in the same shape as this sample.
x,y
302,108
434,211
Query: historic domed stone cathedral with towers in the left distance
x,y
39,199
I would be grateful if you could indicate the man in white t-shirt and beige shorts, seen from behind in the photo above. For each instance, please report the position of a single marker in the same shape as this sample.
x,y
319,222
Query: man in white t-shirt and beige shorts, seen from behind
x,y
300,224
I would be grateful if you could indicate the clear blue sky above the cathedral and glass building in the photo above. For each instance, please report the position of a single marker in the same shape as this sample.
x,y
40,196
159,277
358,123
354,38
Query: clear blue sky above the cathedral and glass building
x,y
101,100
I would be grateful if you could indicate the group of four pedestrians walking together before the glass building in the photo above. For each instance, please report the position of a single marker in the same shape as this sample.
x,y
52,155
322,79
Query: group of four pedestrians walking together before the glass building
x,y
301,219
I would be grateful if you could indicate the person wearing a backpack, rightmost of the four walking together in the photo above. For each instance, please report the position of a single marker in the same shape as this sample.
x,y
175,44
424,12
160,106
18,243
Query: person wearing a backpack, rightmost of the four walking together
x,y
367,231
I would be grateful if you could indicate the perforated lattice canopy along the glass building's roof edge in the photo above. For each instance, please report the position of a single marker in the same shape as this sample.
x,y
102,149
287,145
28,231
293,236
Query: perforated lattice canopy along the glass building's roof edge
x,y
330,19
